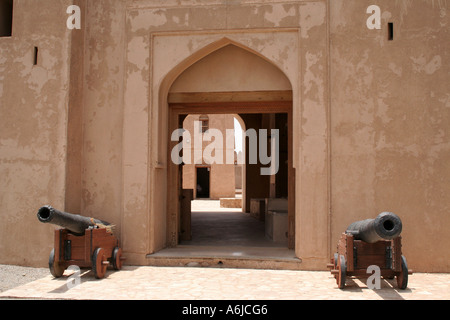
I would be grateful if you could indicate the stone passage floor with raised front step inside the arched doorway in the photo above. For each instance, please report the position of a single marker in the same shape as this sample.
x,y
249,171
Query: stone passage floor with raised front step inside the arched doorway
x,y
227,237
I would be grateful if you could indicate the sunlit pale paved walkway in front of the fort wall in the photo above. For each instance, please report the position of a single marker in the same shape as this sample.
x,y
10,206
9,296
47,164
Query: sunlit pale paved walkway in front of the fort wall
x,y
171,283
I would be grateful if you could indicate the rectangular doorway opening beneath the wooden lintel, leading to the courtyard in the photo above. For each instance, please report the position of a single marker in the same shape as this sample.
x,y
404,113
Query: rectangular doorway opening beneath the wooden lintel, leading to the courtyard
x,y
206,228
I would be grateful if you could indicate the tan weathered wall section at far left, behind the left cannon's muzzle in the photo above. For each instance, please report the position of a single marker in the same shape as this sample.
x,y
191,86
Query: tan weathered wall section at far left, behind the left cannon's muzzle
x,y
33,124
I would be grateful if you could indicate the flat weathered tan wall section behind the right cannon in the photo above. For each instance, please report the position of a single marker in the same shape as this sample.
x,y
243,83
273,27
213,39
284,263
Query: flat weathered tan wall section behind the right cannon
x,y
390,115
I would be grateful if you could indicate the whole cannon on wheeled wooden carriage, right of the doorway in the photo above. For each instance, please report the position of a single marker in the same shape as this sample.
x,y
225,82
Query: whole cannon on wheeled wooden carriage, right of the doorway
x,y
371,242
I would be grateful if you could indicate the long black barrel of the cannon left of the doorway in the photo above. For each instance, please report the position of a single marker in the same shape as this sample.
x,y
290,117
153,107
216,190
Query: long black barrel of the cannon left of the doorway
x,y
75,223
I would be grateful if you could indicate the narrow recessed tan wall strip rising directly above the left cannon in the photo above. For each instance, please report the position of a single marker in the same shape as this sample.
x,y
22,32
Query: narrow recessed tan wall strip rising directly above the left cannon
x,y
102,114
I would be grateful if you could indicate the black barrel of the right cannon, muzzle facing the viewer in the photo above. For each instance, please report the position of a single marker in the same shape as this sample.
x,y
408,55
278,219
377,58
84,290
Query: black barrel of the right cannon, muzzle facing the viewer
x,y
386,226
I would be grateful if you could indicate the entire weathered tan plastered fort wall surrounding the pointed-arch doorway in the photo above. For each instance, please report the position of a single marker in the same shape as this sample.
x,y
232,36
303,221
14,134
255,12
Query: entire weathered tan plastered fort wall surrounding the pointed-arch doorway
x,y
86,129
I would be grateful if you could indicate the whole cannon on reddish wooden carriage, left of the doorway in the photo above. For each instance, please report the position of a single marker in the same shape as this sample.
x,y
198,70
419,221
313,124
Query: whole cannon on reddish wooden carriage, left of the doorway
x,y
81,241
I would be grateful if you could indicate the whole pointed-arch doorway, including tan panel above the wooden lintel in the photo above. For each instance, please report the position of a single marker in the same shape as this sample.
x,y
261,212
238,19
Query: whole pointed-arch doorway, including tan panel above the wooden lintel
x,y
234,81
